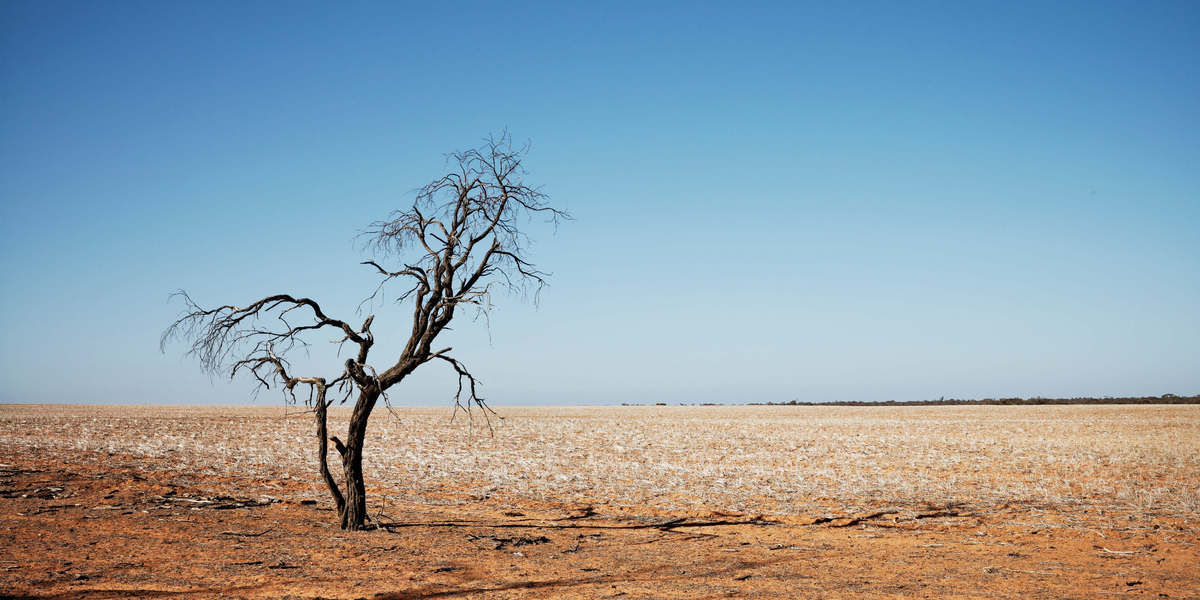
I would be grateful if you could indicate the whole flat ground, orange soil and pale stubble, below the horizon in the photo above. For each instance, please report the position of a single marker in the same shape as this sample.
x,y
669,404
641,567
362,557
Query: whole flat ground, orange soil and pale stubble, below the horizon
x,y
608,502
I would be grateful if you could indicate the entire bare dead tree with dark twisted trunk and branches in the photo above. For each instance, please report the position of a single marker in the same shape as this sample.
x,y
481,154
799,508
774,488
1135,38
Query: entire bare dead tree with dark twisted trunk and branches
x,y
460,242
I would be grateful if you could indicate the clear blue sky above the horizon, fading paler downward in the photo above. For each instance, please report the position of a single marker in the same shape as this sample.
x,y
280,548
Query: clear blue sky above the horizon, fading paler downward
x,y
869,201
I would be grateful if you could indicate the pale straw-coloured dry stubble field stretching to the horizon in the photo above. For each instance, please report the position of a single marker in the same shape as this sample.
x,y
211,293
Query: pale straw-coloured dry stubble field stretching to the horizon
x,y
776,460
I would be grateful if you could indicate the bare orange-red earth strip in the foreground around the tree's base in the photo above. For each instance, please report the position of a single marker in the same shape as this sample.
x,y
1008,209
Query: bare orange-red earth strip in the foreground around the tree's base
x,y
89,525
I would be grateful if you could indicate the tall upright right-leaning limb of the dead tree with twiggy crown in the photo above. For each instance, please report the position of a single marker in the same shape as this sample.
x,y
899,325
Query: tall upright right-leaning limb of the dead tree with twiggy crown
x,y
463,239
